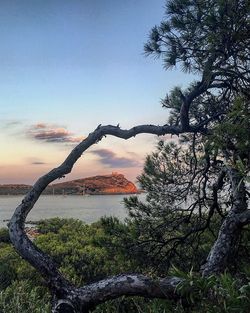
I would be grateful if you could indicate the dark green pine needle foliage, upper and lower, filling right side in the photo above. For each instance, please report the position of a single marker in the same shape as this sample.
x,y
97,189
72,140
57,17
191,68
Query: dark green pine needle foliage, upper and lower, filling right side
x,y
191,183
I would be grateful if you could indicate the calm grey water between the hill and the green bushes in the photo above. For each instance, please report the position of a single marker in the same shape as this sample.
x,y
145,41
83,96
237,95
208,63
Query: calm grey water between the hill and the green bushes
x,y
85,208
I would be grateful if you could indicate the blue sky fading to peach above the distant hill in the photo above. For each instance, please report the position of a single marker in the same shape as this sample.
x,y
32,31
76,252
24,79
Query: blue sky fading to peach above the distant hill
x,y
68,66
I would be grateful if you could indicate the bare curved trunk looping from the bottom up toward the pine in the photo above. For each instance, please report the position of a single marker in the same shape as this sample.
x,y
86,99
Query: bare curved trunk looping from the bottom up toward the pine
x,y
60,287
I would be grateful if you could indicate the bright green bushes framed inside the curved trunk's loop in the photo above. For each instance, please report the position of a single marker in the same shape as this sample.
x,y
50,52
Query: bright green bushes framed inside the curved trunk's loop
x,y
82,252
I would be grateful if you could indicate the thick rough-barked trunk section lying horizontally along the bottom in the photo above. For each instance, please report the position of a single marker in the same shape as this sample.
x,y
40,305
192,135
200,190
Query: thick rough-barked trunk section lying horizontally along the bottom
x,y
88,297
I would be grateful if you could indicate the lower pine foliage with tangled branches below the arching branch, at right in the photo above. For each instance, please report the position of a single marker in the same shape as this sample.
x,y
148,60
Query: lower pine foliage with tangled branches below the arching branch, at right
x,y
190,192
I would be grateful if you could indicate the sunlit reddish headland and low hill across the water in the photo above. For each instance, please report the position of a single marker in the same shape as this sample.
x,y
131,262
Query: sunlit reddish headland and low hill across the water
x,y
114,183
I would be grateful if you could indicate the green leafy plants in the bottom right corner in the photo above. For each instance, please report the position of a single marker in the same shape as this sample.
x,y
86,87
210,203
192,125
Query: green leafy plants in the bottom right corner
x,y
222,294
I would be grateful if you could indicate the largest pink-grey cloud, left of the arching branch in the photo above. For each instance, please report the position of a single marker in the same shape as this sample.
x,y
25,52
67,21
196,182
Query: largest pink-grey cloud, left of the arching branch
x,y
52,133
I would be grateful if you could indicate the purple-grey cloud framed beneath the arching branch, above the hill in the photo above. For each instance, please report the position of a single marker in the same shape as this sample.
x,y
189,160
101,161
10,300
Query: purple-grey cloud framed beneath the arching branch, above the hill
x,y
109,158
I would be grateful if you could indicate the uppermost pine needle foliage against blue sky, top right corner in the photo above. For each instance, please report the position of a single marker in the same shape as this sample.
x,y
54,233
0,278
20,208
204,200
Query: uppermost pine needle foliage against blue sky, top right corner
x,y
195,33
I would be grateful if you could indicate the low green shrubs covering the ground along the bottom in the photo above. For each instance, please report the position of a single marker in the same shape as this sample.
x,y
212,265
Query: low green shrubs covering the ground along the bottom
x,y
91,252
